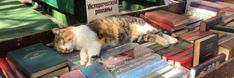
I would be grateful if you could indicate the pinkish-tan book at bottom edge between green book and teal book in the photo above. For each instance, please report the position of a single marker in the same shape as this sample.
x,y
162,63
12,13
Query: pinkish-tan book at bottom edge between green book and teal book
x,y
56,73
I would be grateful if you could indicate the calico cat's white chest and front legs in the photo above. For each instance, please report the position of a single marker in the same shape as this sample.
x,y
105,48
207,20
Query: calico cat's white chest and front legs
x,y
86,42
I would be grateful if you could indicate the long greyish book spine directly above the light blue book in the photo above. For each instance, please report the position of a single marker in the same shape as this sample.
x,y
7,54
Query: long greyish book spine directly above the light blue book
x,y
135,64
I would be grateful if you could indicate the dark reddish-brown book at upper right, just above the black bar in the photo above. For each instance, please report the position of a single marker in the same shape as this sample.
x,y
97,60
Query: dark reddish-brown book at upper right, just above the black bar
x,y
211,22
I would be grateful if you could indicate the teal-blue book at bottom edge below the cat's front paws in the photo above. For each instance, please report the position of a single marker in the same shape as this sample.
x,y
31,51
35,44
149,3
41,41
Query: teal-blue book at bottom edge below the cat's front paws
x,y
96,71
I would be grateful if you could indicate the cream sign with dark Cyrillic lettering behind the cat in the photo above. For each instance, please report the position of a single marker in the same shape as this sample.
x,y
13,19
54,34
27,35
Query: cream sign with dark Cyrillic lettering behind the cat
x,y
101,8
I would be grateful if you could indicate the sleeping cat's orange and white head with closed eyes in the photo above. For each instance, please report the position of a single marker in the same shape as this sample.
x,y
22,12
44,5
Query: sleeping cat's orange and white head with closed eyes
x,y
64,40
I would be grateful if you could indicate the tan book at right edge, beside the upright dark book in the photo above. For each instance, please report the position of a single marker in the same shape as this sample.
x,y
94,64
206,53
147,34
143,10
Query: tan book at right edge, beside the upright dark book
x,y
227,48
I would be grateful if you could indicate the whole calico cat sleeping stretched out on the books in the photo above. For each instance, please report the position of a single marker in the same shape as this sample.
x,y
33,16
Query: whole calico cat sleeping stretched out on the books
x,y
108,31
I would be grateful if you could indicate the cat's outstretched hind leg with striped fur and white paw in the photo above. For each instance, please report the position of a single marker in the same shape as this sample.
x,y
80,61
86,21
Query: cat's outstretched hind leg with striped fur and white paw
x,y
160,38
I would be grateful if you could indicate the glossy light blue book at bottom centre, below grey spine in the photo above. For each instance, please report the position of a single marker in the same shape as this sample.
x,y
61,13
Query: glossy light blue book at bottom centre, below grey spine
x,y
144,69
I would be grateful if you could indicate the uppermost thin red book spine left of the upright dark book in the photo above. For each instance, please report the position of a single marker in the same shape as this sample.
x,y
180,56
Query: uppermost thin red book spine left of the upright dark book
x,y
169,54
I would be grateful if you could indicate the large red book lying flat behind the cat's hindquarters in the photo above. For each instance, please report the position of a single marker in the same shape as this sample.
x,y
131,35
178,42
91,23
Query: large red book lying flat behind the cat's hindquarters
x,y
166,20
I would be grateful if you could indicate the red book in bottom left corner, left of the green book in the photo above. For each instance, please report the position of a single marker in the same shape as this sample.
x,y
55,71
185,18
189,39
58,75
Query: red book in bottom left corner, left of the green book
x,y
6,69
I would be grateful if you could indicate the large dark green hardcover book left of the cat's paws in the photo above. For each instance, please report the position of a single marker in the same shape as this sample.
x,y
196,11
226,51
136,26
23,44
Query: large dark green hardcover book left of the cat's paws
x,y
37,60
